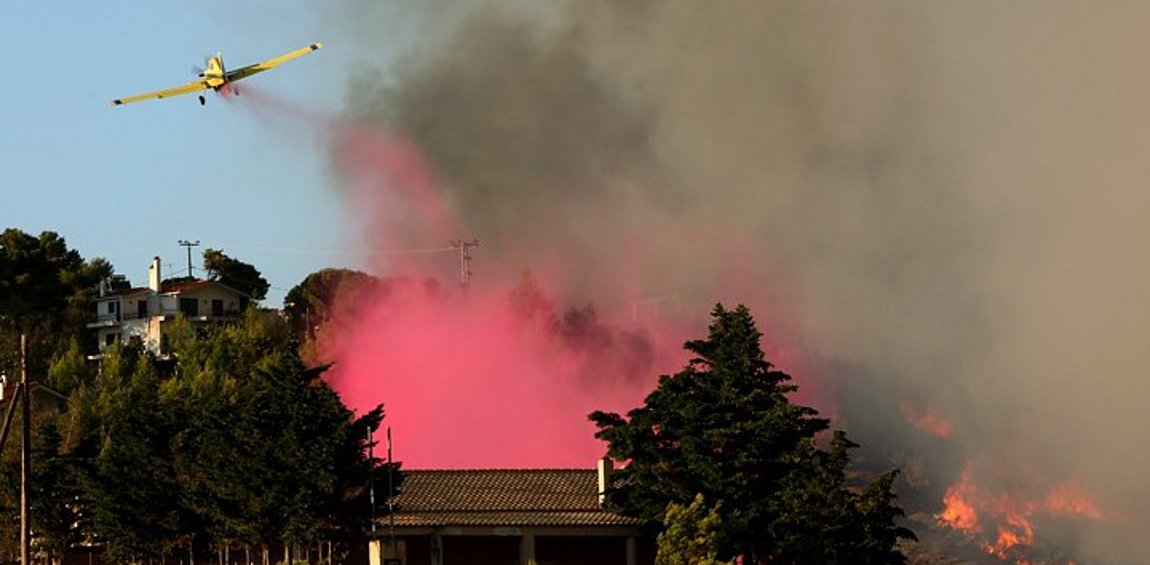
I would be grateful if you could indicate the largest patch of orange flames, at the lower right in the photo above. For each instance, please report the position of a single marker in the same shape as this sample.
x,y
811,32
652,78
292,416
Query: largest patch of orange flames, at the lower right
x,y
1005,518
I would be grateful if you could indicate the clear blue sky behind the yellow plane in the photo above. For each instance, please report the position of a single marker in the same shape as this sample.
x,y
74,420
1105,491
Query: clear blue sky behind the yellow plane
x,y
127,184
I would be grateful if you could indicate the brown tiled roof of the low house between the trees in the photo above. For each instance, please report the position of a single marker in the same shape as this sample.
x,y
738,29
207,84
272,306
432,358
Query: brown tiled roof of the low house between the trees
x,y
503,499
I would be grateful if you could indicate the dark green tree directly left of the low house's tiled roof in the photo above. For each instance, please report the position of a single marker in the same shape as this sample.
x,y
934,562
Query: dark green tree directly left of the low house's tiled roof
x,y
267,454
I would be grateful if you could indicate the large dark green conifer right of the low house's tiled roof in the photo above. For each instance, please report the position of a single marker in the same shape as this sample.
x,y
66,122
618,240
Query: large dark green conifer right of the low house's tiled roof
x,y
725,427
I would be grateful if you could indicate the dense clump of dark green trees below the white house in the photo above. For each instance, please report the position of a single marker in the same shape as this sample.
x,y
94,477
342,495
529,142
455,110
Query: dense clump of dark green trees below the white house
x,y
235,445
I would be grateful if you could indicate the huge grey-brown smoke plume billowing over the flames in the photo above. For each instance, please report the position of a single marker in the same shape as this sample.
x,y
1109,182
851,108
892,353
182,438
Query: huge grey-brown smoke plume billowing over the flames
x,y
946,198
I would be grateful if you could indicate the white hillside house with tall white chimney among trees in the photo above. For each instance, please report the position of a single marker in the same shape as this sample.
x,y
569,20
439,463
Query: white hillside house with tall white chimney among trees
x,y
124,312
